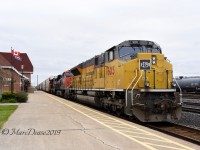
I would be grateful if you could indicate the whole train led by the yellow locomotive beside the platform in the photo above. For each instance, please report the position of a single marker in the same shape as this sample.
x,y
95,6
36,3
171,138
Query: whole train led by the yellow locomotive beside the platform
x,y
133,78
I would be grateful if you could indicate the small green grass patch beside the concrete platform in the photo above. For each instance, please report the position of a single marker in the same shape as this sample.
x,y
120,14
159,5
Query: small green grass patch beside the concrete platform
x,y
5,112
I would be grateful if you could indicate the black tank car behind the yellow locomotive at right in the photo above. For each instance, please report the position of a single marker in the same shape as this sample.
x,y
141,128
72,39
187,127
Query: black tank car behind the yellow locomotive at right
x,y
189,84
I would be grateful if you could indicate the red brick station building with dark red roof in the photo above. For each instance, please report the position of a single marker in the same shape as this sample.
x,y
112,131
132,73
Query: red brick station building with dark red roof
x,y
19,71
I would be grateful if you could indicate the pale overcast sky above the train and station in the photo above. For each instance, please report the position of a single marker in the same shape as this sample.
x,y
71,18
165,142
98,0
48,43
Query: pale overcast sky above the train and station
x,y
59,34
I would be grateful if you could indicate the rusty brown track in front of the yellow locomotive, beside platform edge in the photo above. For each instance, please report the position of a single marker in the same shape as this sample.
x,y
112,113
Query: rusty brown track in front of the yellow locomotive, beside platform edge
x,y
186,133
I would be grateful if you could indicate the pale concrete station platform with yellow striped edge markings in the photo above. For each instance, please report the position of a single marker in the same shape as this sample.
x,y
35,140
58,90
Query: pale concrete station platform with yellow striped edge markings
x,y
49,122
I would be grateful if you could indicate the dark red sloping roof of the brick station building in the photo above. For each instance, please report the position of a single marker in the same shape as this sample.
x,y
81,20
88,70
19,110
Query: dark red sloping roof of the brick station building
x,y
6,59
